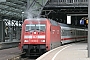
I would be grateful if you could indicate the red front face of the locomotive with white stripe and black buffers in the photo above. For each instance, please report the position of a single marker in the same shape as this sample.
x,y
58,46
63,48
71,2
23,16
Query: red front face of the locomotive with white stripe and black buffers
x,y
33,37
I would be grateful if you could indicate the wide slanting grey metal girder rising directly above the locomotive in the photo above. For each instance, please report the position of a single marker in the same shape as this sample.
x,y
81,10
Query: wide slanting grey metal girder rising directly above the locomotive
x,y
34,7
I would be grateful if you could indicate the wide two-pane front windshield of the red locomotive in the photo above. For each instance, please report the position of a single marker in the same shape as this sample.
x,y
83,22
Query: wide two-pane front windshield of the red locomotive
x,y
39,27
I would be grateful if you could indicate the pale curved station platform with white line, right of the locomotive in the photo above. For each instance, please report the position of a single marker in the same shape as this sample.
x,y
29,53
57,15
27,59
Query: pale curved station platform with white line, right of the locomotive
x,y
74,51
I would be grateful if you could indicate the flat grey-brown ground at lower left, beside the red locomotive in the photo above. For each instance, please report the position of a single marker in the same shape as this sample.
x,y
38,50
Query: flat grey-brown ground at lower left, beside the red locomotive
x,y
6,54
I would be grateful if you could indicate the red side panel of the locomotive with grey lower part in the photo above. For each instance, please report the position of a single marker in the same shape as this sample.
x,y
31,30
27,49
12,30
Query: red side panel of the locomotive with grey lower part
x,y
55,36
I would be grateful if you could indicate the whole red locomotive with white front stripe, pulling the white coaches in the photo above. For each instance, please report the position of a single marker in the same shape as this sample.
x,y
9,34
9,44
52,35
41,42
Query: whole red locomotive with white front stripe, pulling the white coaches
x,y
39,35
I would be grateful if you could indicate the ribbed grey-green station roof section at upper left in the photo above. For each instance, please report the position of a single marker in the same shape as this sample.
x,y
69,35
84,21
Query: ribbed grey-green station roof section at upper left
x,y
12,9
